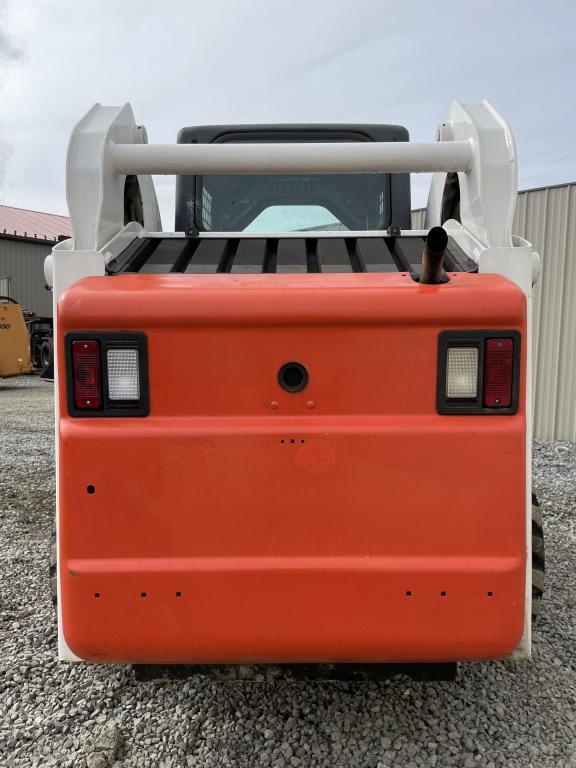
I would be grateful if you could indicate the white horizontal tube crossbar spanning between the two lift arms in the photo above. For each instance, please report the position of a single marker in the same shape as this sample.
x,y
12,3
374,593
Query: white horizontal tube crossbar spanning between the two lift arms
x,y
351,157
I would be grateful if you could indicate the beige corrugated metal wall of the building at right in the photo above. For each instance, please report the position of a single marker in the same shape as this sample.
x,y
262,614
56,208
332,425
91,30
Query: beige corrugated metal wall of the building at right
x,y
547,218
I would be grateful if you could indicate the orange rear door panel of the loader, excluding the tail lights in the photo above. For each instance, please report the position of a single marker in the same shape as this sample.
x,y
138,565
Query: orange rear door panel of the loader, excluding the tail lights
x,y
238,522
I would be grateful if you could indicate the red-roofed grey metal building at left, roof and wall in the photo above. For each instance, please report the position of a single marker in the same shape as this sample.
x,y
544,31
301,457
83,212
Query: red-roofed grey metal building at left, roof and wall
x,y
26,238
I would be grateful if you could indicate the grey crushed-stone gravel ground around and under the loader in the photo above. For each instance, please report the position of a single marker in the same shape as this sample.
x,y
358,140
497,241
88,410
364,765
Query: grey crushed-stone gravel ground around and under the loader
x,y
52,714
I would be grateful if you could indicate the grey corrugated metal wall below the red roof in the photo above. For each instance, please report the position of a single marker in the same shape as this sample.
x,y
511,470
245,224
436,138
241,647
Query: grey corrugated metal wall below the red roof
x,y
23,263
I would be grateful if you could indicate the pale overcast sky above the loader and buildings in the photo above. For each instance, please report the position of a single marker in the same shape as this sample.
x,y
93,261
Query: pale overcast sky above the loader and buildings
x,y
184,62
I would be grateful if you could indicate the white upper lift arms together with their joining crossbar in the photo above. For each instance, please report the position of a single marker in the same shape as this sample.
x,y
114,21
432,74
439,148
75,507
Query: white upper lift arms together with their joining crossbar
x,y
107,146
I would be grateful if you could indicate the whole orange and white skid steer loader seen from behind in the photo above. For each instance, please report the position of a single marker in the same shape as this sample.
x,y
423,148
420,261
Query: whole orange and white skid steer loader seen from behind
x,y
293,436
